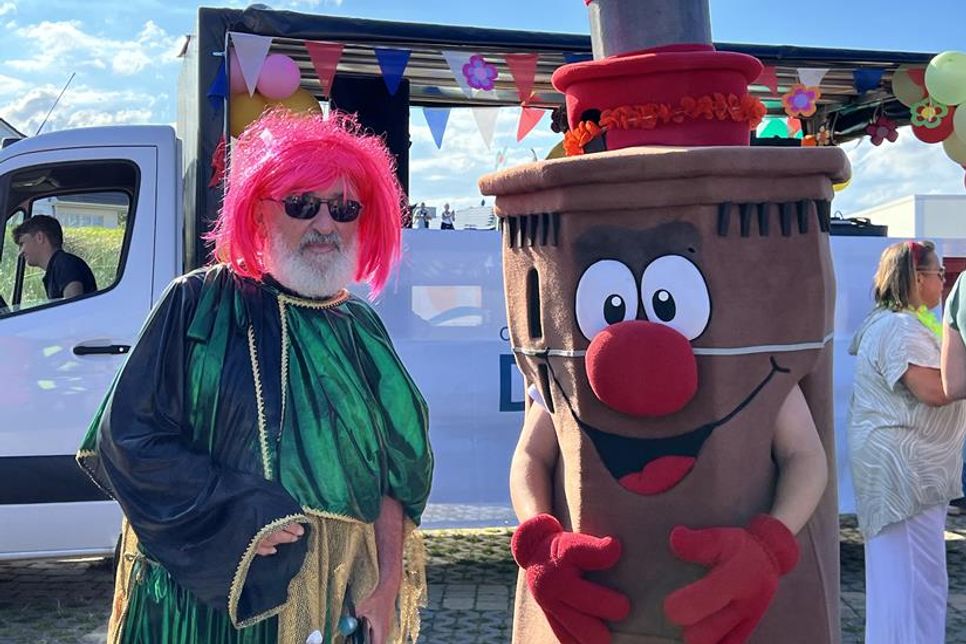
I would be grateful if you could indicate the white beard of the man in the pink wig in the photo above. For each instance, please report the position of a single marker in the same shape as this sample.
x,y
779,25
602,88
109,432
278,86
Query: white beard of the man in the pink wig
x,y
312,275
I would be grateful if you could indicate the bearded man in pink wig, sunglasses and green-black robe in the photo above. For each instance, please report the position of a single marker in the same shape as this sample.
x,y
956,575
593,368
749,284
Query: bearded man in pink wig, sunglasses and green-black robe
x,y
268,448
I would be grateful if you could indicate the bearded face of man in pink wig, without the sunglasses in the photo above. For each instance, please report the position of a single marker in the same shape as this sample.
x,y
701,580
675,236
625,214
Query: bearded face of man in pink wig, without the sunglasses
x,y
315,256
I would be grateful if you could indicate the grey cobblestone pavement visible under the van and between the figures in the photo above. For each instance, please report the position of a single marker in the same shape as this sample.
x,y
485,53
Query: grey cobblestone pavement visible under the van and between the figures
x,y
471,584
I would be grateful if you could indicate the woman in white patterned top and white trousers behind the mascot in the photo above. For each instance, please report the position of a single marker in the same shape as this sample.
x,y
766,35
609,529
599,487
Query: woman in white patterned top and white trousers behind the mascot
x,y
905,438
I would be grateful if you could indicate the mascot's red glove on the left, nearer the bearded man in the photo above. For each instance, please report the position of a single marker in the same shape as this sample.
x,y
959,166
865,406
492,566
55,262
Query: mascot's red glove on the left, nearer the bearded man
x,y
554,562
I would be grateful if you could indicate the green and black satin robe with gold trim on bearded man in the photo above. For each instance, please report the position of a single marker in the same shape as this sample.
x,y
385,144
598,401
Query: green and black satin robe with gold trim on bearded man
x,y
241,408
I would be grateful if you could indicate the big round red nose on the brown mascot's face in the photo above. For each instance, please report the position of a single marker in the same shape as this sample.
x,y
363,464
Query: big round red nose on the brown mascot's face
x,y
642,369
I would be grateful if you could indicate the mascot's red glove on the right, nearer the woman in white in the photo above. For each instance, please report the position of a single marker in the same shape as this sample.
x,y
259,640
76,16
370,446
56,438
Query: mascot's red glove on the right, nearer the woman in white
x,y
746,564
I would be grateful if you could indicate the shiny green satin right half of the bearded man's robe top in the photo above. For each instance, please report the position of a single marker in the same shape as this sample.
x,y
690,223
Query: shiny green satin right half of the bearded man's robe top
x,y
355,425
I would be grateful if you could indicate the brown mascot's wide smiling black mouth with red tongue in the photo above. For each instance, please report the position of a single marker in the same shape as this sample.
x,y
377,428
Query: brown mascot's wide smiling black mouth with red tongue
x,y
649,466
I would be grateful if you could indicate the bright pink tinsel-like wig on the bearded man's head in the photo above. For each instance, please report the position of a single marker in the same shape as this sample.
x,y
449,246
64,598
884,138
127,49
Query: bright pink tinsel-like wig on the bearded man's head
x,y
284,153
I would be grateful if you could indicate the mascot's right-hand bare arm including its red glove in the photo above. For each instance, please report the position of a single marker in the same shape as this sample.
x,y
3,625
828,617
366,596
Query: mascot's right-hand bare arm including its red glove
x,y
745,564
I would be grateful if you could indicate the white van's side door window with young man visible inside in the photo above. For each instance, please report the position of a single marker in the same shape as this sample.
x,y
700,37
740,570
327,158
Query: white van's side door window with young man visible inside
x,y
92,206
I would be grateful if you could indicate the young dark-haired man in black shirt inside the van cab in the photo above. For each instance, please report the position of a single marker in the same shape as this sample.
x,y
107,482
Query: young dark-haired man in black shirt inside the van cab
x,y
41,241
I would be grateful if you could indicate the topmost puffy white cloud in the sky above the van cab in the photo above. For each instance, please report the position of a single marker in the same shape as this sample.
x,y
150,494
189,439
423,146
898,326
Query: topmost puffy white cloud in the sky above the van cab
x,y
57,45
